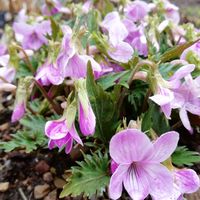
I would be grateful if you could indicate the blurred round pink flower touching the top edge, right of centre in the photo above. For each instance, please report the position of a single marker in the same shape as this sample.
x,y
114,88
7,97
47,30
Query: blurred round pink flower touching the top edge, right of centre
x,y
137,10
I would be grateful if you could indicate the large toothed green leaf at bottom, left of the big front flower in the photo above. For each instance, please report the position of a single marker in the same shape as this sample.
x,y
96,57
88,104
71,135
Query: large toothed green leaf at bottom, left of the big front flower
x,y
89,178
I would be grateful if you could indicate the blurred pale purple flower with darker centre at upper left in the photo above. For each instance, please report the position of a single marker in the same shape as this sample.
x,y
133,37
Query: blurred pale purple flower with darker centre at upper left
x,y
32,36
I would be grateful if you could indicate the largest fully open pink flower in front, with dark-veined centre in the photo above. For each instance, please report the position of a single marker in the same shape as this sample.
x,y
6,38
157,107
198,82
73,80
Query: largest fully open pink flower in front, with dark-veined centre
x,y
140,170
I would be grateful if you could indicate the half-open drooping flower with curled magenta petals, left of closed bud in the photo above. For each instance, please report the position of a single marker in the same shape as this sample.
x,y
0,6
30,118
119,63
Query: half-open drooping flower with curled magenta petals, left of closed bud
x,y
59,135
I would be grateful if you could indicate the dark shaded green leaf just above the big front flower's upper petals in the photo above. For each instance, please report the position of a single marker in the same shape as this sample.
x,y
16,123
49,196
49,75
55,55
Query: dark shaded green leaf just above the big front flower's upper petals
x,y
155,119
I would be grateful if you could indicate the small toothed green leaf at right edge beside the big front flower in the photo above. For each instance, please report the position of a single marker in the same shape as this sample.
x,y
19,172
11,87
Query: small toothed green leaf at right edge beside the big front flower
x,y
183,156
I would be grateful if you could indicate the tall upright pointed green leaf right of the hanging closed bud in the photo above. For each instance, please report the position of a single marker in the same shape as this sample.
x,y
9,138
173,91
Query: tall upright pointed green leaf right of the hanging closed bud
x,y
104,105
